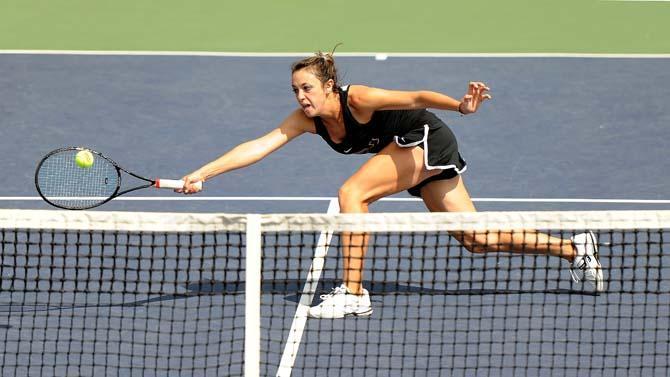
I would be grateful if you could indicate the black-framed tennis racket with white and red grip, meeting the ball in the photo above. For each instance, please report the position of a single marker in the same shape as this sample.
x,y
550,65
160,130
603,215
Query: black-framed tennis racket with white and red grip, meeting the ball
x,y
63,183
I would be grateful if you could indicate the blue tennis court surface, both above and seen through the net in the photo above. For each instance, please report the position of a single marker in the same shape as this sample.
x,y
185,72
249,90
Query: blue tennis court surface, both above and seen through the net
x,y
560,134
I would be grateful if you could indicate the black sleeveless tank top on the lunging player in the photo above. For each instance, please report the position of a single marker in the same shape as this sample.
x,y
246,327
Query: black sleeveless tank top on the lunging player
x,y
378,132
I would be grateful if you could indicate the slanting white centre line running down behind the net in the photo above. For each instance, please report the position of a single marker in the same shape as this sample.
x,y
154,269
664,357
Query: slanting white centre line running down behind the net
x,y
300,318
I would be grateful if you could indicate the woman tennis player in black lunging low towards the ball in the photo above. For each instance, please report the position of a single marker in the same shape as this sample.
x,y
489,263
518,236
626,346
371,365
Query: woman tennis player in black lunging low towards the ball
x,y
412,150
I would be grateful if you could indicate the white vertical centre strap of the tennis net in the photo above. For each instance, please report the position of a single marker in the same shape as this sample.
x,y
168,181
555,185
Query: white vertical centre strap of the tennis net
x,y
252,340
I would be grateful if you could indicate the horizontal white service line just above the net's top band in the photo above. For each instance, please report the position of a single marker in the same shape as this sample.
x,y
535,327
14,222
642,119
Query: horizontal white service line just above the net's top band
x,y
327,198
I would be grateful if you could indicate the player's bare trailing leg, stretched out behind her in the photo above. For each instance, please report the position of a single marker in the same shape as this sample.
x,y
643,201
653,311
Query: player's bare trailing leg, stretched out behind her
x,y
452,196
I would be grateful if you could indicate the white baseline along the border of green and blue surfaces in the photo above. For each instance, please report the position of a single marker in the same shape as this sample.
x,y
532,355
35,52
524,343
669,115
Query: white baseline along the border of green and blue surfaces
x,y
234,54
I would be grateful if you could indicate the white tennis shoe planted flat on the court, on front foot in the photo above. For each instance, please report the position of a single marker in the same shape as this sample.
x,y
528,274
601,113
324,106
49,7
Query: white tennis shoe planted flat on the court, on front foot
x,y
340,303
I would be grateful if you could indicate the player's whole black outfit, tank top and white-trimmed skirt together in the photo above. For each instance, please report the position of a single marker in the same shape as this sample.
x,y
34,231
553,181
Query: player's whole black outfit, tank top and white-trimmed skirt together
x,y
407,128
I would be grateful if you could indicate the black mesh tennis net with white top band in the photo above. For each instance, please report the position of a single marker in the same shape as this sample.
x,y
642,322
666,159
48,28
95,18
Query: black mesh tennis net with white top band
x,y
119,293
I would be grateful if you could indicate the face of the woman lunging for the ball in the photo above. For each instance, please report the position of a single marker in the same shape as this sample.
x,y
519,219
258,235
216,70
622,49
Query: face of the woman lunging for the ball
x,y
310,93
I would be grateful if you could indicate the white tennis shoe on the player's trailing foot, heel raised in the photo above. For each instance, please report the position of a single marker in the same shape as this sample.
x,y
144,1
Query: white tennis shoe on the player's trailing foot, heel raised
x,y
586,265
